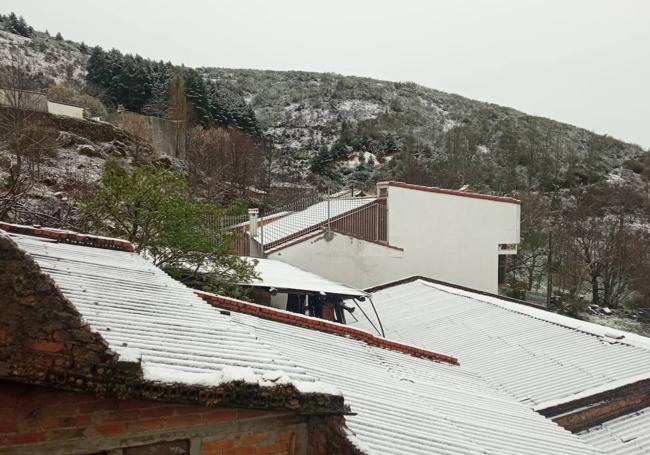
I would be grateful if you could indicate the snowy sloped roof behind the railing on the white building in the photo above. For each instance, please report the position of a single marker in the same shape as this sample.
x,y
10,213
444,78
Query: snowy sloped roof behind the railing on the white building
x,y
308,220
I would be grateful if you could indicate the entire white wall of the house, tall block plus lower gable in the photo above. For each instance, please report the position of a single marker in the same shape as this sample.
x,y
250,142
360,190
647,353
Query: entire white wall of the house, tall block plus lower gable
x,y
446,237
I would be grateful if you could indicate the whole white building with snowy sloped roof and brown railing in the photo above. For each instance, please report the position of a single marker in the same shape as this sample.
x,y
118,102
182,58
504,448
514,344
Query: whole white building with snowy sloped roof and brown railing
x,y
408,230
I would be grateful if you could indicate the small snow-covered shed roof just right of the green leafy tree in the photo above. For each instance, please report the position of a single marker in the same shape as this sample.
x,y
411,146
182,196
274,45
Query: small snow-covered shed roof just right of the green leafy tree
x,y
282,276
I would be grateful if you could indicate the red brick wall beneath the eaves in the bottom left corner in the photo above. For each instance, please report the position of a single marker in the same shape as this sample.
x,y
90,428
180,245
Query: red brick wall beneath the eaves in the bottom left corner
x,y
37,420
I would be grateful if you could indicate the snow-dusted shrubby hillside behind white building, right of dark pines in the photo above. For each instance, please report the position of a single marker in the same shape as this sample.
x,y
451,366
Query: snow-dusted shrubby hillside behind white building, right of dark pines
x,y
307,114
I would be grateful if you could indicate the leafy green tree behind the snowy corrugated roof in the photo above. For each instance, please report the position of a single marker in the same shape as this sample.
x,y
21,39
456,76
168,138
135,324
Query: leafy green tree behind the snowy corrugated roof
x,y
152,208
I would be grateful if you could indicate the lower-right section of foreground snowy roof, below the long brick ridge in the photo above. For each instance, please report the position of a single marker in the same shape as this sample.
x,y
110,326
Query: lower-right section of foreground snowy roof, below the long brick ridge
x,y
404,404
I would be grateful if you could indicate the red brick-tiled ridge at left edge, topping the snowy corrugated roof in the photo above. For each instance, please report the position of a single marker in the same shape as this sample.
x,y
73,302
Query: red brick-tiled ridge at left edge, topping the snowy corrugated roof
x,y
72,237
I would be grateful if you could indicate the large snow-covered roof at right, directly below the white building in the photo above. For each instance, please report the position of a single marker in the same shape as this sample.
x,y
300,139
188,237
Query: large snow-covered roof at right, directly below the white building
x,y
540,358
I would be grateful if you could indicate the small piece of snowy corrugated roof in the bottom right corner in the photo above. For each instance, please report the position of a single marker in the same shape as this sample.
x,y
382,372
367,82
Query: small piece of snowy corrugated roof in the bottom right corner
x,y
627,435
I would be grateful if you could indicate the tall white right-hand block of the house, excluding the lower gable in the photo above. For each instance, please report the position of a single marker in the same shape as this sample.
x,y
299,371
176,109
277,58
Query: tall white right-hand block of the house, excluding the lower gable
x,y
449,237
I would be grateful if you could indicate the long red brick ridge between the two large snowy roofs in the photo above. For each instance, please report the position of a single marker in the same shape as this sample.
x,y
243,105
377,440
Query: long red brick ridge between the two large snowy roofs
x,y
321,325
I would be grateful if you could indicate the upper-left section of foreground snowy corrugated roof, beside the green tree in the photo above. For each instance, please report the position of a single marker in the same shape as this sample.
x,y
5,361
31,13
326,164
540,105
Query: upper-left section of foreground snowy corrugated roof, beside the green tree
x,y
137,307
